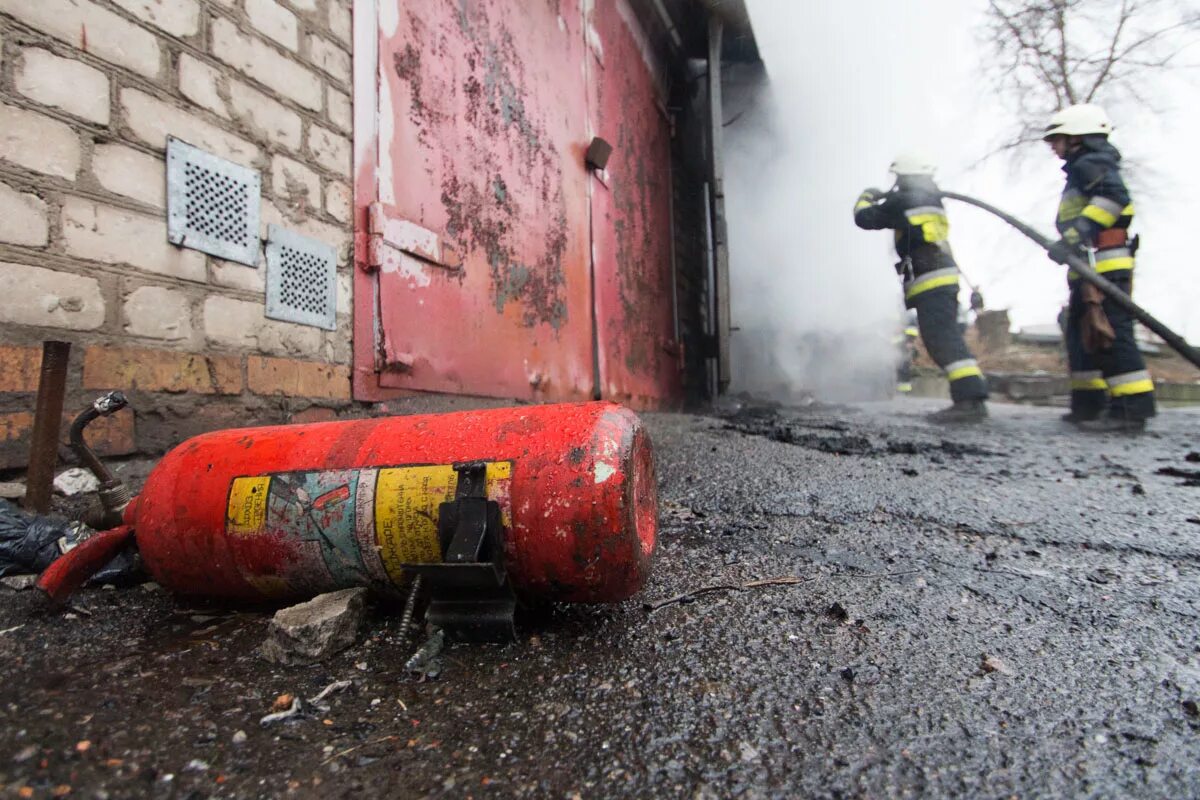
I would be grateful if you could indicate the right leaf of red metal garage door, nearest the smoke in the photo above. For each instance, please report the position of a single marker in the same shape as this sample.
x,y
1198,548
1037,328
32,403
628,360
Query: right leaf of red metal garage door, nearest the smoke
x,y
640,360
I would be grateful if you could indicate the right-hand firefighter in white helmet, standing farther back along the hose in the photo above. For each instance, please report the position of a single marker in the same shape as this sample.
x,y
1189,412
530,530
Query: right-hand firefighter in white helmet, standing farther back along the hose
x,y
1111,389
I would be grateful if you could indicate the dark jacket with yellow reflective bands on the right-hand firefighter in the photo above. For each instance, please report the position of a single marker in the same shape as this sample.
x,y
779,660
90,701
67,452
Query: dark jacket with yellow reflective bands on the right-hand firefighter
x,y
1096,209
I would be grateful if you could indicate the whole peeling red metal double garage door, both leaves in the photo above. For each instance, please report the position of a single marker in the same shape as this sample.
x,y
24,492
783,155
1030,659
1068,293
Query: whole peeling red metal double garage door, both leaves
x,y
478,226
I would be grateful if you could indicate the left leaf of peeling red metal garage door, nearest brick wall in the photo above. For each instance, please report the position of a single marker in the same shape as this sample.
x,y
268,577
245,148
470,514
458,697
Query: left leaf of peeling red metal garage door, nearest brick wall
x,y
478,237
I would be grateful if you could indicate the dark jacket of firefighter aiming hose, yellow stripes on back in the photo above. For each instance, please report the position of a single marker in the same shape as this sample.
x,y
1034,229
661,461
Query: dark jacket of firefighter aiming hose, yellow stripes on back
x,y
914,210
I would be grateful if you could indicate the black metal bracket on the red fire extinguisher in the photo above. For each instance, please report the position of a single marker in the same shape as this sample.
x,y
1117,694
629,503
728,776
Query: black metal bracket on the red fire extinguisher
x,y
471,596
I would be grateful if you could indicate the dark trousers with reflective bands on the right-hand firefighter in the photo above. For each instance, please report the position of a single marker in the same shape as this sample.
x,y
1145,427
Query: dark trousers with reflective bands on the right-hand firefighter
x,y
1114,380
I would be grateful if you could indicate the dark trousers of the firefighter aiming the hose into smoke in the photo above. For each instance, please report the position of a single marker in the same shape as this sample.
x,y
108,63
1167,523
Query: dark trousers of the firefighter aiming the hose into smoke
x,y
938,318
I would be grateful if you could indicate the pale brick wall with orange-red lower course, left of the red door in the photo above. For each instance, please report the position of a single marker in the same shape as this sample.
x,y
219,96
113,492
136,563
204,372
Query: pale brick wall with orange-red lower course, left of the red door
x,y
89,93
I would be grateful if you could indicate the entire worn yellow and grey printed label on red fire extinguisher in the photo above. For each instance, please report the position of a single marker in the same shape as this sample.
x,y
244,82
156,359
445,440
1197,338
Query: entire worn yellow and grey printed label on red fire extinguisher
x,y
347,528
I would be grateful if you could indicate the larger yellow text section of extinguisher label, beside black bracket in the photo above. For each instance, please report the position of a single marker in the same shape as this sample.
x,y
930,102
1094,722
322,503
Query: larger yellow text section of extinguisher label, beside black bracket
x,y
406,510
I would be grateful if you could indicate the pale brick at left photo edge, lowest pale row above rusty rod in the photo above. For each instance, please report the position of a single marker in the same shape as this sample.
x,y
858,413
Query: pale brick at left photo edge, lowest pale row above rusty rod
x,y
31,296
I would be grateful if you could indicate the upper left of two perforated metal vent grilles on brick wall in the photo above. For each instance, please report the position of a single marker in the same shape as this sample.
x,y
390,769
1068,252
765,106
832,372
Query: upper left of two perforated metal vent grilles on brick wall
x,y
213,204
